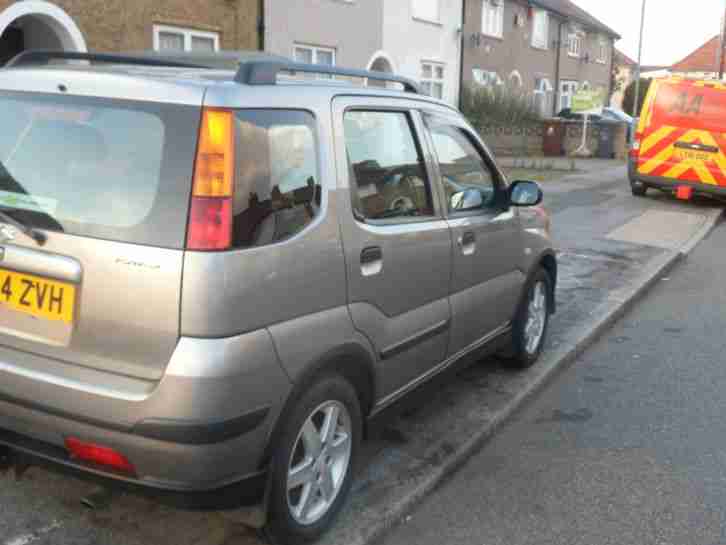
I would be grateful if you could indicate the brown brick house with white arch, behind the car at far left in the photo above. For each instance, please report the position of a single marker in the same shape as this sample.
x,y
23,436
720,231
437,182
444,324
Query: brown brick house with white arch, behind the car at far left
x,y
128,25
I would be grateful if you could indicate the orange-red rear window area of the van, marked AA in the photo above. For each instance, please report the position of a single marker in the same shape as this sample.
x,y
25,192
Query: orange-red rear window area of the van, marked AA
x,y
690,106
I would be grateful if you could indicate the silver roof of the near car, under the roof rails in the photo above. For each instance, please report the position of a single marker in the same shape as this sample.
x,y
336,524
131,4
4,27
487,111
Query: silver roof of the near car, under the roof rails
x,y
185,83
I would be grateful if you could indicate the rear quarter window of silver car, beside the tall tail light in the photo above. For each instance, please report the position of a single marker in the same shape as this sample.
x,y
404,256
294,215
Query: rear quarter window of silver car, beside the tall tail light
x,y
277,189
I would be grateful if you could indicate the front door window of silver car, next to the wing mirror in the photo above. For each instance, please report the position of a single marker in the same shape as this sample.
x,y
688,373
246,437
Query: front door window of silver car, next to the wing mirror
x,y
469,184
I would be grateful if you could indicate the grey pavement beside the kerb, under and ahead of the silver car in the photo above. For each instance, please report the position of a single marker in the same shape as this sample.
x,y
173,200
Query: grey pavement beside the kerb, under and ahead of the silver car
x,y
607,260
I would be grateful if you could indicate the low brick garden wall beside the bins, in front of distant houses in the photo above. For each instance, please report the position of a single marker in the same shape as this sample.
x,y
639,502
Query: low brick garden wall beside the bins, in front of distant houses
x,y
529,140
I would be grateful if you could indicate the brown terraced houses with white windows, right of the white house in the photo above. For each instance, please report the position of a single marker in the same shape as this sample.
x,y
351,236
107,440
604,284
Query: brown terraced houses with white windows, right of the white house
x,y
550,48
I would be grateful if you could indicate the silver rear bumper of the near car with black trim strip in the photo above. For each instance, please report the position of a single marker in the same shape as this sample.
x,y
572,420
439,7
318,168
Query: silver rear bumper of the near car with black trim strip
x,y
204,427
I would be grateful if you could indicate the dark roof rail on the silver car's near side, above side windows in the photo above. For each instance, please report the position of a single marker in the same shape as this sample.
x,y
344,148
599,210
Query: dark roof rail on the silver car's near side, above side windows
x,y
266,72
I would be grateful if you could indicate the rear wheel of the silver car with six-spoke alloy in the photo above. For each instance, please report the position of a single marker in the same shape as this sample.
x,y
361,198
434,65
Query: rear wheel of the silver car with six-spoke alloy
x,y
319,459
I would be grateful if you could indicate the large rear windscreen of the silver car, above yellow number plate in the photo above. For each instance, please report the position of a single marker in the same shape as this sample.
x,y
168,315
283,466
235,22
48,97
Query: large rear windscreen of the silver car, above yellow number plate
x,y
110,169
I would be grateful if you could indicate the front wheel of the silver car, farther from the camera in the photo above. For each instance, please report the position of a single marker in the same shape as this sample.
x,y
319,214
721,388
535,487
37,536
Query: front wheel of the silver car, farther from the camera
x,y
531,321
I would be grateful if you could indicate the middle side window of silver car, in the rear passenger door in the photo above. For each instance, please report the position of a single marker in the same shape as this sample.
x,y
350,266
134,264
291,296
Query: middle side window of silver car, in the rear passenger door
x,y
388,174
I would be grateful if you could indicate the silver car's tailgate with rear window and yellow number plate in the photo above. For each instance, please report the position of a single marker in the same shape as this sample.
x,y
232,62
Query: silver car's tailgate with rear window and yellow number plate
x,y
107,182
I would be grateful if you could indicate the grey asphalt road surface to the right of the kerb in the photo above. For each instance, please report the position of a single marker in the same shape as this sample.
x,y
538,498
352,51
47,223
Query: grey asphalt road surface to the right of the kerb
x,y
624,447
